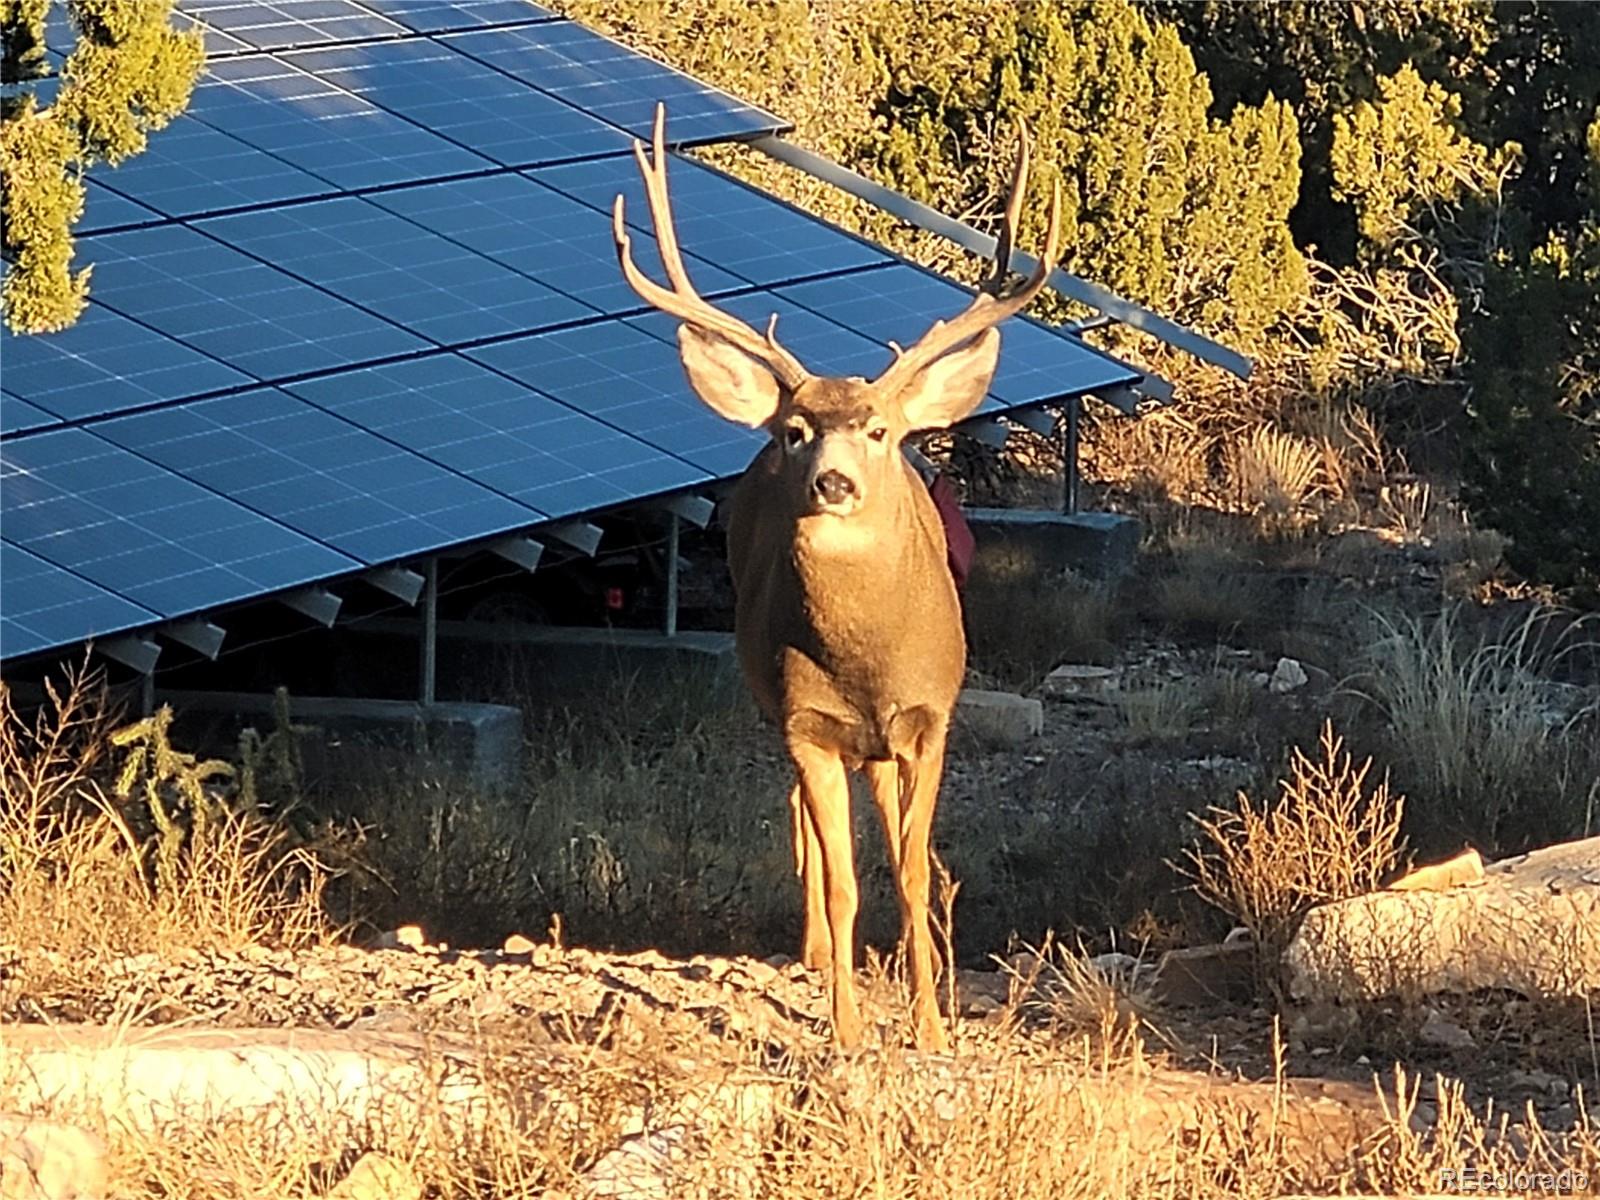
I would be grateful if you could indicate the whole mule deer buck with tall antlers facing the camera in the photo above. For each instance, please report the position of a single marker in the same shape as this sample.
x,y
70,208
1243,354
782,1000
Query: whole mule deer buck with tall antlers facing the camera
x,y
847,620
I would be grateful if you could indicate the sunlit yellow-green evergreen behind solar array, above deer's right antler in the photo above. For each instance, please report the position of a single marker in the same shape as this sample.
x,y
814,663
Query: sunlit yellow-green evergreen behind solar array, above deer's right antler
x,y
1162,202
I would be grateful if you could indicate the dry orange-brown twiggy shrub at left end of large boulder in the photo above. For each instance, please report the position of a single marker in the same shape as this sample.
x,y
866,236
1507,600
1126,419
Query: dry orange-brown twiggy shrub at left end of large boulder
x,y
1329,836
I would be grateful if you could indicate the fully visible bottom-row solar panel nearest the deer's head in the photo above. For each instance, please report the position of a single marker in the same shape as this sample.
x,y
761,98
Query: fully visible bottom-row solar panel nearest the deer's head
x,y
502,434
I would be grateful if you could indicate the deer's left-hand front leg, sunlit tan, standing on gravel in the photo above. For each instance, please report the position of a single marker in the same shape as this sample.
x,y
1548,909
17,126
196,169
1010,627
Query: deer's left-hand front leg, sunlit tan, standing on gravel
x,y
825,791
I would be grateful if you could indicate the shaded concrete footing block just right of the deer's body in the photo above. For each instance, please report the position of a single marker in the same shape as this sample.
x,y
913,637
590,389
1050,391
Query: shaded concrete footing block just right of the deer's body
x,y
1042,543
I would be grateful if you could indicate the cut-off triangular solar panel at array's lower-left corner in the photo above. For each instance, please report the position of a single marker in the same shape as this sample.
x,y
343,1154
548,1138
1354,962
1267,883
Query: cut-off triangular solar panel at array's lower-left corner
x,y
49,607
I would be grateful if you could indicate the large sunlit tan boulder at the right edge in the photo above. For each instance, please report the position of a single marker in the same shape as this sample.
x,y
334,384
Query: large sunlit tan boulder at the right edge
x,y
1530,926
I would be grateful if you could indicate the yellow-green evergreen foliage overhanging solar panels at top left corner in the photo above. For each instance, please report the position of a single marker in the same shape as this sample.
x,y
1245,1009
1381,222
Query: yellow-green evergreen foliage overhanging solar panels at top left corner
x,y
129,74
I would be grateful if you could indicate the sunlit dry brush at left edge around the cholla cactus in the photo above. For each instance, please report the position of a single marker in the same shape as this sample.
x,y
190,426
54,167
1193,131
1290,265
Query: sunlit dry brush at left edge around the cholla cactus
x,y
86,873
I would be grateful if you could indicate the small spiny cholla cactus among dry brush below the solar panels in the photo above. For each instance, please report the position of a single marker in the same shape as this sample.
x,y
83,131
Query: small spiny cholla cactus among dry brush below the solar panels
x,y
170,783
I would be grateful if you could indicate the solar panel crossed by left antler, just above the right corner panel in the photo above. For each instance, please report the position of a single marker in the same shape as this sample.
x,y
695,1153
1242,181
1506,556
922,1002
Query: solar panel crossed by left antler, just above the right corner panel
x,y
740,230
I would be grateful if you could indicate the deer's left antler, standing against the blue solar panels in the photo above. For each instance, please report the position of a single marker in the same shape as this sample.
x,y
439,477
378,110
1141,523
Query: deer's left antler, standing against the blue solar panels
x,y
681,300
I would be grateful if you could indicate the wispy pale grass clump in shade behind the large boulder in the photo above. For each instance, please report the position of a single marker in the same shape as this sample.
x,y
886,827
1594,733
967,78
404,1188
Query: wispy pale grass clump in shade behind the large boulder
x,y
1492,750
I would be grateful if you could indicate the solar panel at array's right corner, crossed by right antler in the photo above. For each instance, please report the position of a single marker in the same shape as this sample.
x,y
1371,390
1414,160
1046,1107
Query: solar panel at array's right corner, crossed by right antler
x,y
900,303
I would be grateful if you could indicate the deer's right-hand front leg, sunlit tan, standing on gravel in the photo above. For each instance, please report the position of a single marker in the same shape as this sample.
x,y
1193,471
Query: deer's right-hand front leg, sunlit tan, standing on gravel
x,y
916,799
